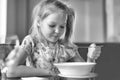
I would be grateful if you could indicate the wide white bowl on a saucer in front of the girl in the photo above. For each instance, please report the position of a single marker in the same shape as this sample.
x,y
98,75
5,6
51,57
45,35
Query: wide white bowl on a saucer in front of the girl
x,y
75,68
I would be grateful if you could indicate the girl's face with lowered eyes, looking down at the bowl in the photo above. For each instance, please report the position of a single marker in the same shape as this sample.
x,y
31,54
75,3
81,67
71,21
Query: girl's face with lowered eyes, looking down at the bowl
x,y
53,26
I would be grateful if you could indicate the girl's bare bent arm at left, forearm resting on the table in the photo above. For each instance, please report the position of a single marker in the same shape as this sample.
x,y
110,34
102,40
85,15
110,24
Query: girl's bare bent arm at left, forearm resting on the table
x,y
16,69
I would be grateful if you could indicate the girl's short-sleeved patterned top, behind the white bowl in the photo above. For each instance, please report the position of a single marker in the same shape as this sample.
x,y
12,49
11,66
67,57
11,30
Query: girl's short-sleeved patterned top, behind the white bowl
x,y
40,55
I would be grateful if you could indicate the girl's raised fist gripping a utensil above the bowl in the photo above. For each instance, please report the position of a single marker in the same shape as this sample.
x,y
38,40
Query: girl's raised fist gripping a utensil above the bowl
x,y
93,52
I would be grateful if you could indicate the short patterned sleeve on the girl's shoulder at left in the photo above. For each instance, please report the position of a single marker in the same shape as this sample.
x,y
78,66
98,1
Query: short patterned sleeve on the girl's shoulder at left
x,y
27,44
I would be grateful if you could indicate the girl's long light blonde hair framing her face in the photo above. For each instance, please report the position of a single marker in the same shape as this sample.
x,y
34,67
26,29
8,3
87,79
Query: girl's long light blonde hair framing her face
x,y
44,8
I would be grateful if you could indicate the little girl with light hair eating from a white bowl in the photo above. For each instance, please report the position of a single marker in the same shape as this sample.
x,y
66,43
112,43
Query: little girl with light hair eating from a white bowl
x,y
48,43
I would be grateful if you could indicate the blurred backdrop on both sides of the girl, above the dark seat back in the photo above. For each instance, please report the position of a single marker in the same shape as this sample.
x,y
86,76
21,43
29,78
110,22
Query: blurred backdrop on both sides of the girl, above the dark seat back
x,y
96,20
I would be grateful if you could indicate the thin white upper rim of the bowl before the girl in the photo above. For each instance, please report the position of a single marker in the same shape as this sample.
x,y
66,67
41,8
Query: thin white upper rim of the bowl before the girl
x,y
74,63
